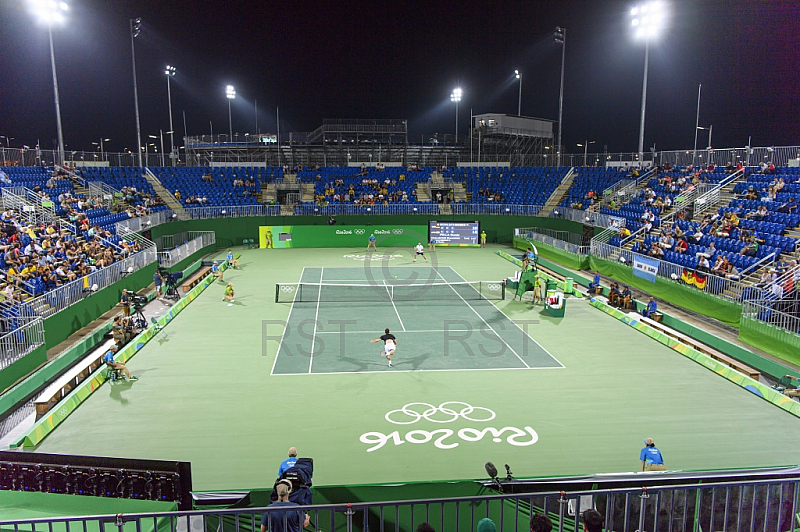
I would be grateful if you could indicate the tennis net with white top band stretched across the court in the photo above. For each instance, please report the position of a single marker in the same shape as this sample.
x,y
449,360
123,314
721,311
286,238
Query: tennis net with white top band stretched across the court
x,y
345,293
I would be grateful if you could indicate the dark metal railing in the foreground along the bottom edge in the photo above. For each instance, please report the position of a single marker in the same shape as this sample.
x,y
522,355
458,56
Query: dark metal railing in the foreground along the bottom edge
x,y
760,505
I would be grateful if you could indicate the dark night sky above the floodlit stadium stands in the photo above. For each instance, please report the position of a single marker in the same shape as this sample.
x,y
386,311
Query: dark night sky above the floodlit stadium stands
x,y
381,59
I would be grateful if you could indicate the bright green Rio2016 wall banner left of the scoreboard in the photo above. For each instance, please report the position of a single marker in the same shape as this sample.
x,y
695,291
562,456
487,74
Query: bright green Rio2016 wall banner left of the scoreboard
x,y
331,236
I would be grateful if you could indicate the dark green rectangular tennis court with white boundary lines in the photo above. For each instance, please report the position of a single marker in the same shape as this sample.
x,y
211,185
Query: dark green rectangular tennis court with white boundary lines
x,y
442,323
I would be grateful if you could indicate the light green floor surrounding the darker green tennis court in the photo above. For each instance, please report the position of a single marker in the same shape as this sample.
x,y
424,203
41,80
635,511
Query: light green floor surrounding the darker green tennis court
x,y
207,394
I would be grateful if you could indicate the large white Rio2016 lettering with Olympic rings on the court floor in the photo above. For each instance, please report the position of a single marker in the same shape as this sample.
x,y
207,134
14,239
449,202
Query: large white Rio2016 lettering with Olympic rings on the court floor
x,y
446,438
